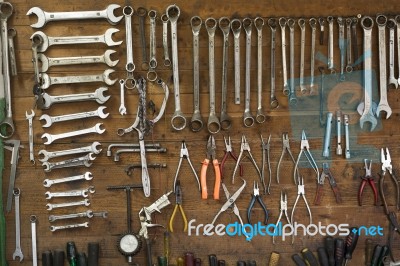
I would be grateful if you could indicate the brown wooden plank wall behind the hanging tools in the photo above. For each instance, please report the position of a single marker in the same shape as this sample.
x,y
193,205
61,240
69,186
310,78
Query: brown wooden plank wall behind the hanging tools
x,y
107,172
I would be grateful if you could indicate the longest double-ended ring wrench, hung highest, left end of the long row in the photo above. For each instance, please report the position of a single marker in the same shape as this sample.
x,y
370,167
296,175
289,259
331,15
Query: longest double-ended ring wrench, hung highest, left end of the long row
x,y
178,120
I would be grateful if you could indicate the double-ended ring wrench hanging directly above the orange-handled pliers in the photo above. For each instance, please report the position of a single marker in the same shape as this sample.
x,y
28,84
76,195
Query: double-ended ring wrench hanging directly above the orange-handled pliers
x,y
213,124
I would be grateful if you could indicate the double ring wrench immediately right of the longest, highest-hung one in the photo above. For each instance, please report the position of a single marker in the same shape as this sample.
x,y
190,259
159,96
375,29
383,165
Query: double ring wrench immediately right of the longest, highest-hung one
x,y
196,123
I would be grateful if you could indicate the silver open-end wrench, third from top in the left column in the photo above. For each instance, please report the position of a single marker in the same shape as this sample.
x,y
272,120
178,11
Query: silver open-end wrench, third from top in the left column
x,y
77,60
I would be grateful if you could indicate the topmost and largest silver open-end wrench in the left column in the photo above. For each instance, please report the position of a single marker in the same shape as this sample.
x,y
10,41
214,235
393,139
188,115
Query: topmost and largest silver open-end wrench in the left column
x,y
45,17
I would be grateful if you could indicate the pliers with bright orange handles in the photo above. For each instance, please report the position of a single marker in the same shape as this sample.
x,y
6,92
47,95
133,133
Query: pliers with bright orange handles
x,y
203,174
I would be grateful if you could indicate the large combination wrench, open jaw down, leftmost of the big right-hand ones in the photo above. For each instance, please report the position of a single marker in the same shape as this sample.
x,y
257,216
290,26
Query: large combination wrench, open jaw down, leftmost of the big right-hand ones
x,y
367,24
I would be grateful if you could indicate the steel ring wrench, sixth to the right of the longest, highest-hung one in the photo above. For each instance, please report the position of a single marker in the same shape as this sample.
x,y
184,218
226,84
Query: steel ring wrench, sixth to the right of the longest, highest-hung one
x,y
259,24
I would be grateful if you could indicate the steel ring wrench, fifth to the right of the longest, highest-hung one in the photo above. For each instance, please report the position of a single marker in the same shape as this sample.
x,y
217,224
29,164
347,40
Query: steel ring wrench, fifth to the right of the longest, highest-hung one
x,y
248,119
